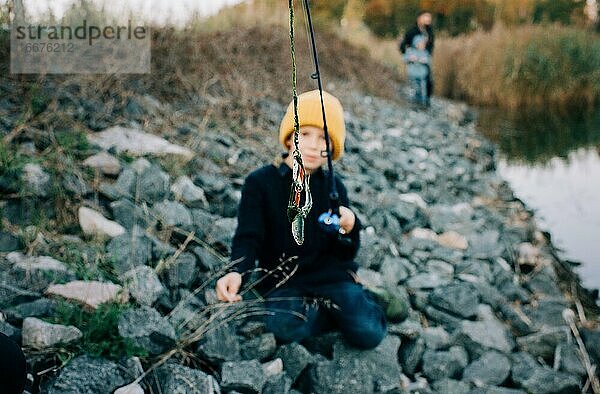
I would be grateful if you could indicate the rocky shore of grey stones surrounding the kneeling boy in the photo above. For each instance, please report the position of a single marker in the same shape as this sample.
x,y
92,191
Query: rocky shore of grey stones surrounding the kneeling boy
x,y
486,300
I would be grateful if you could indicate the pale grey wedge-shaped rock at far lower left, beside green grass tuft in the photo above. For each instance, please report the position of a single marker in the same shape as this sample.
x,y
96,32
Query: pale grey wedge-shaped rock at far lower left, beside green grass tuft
x,y
37,334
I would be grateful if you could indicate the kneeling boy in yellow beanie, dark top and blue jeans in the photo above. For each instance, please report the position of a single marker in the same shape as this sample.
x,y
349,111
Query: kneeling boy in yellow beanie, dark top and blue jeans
x,y
322,268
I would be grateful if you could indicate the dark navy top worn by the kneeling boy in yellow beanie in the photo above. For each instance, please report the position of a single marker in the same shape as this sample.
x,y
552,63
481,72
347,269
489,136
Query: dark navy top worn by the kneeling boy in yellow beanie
x,y
264,232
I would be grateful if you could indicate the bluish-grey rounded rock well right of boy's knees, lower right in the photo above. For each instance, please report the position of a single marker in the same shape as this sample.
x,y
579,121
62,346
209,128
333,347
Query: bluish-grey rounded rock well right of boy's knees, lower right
x,y
458,298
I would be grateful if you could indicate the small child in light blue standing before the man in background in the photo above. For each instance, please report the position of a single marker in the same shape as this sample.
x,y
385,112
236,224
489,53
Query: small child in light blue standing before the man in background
x,y
418,62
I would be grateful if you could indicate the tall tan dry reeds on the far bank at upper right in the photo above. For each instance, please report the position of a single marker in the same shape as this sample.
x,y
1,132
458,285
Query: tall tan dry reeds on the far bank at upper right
x,y
526,67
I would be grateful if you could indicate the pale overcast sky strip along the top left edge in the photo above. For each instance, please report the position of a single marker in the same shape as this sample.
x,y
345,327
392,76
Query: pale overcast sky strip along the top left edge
x,y
157,11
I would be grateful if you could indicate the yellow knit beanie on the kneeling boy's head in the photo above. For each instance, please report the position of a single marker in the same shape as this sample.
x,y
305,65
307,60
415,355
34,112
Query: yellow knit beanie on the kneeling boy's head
x,y
310,114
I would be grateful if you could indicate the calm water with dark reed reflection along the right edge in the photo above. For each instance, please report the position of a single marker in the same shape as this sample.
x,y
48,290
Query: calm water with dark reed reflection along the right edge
x,y
553,165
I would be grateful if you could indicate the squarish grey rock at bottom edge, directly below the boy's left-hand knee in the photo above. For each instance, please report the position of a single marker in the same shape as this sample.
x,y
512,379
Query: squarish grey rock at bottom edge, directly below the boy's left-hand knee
x,y
245,376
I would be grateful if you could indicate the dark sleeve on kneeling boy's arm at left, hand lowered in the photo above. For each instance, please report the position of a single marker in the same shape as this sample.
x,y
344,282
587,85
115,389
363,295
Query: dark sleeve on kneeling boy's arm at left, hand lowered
x,y
250,232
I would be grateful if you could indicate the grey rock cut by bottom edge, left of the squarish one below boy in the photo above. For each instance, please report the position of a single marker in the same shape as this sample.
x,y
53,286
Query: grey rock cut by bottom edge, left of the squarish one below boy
x,y
175,378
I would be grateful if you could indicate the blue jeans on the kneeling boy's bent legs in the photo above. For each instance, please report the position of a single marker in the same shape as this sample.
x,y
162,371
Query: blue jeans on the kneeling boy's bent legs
x,y
344,305
